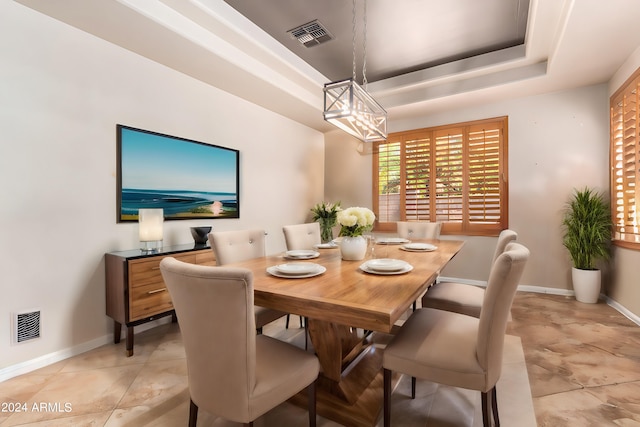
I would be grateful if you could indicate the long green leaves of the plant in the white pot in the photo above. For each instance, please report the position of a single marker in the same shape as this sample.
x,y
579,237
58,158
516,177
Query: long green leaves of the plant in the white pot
x,y
587,229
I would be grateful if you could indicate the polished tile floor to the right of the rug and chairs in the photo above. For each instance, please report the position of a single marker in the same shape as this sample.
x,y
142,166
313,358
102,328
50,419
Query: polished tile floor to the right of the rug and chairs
x,y
583,361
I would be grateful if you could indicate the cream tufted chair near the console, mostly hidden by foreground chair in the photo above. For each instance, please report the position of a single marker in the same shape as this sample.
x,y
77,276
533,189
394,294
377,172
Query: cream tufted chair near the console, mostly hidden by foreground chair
x,y
241,245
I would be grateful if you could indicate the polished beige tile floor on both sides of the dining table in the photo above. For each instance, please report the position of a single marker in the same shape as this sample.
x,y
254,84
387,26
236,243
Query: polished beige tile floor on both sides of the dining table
x,y
583,364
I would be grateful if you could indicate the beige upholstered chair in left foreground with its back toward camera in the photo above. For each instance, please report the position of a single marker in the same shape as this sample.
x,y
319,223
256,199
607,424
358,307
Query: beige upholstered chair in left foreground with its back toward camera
x,y
233,373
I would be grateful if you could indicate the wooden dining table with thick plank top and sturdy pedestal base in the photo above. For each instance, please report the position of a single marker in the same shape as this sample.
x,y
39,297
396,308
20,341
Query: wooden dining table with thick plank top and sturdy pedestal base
x,y
345,308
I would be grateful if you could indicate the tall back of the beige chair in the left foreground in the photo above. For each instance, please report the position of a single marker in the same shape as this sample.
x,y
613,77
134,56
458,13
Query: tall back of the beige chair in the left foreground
x,y
214,306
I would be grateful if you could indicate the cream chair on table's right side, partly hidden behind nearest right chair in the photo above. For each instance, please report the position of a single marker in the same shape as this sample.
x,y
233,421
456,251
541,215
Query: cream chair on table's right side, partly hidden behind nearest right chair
x,y
461,297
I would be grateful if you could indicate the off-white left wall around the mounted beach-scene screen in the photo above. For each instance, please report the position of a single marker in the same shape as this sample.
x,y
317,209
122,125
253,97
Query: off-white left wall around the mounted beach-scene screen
x,y
62,94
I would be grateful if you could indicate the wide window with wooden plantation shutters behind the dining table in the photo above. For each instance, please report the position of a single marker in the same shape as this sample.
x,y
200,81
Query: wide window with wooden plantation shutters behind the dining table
x,y
455,174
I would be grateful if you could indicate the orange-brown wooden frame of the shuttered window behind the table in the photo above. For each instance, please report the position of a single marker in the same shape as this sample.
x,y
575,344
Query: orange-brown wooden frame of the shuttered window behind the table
x,y
465,226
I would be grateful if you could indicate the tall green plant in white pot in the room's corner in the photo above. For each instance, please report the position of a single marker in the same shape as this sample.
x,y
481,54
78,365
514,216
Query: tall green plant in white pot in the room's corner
x,y
587,237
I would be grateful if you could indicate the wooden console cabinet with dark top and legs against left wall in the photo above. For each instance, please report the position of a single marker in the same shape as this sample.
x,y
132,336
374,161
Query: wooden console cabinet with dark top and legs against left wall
x,y
136,293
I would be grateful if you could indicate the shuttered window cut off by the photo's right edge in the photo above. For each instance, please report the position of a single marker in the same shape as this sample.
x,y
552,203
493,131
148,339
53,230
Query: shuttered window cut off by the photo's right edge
x,y
625,162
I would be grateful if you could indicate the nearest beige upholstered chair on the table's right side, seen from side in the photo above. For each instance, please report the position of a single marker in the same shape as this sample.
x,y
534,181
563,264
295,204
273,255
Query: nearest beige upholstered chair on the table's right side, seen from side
x,y
455,349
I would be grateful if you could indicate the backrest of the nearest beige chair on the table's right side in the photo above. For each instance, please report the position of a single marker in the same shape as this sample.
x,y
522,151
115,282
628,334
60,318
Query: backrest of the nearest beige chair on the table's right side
x,y
501,288
